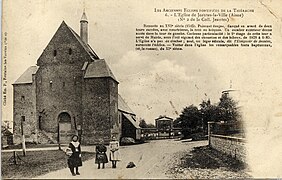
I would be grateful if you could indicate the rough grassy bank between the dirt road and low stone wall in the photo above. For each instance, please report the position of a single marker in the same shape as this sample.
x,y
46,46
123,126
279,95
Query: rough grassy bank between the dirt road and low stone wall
x,y
206,163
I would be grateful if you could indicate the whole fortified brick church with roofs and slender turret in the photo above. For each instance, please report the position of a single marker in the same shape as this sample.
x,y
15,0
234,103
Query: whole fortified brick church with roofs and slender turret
x,y
70,91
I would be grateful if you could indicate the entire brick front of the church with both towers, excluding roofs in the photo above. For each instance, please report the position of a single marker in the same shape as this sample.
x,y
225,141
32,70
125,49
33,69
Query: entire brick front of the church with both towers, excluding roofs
x,y
59,86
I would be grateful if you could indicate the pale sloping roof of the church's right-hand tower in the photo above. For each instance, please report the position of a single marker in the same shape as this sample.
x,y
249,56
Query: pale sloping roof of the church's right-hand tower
x,y
98,68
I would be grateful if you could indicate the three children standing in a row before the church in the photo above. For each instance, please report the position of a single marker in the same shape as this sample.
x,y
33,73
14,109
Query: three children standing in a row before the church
x,y
74,160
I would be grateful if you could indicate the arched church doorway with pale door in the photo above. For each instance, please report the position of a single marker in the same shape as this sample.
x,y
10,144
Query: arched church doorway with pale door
x,y
65,132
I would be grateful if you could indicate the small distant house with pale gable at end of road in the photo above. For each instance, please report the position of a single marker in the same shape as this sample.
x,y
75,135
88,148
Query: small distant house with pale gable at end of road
x,y
164,126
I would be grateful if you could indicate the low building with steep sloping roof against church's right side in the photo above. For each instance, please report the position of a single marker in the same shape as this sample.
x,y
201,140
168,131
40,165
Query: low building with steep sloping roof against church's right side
x,y
127,117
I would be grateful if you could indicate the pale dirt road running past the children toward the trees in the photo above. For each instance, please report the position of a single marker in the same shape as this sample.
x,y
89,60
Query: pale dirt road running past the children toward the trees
x,y
152,160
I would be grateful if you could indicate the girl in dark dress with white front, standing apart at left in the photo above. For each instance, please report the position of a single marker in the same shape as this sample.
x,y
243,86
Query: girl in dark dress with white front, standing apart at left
x,y
74,161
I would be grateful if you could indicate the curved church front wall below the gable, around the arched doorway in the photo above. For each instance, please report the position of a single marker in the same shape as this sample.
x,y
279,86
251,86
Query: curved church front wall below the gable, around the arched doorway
x,y
59,90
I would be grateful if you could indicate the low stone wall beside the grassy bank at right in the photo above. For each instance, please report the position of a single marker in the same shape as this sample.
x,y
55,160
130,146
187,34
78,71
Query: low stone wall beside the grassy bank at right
x,y
233,146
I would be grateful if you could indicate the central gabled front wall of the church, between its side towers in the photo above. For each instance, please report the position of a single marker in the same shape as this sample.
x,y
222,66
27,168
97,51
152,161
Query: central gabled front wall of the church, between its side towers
x,y
60,81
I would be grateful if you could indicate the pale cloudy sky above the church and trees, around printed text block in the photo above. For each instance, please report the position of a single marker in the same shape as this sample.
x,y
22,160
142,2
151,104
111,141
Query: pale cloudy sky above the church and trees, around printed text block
x,y
150,80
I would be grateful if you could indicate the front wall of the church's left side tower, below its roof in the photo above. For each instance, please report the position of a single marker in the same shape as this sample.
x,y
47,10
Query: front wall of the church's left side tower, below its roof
x,y
24,108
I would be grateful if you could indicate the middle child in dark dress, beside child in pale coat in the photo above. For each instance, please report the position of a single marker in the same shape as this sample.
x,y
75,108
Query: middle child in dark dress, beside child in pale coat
x,y
101,156
